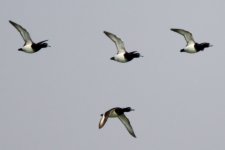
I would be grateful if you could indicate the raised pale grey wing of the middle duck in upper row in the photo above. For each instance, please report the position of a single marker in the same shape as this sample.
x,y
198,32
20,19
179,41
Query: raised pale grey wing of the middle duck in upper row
x,y
119,43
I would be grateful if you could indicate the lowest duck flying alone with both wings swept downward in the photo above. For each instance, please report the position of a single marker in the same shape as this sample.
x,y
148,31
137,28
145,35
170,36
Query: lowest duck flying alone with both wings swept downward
x,y
118,112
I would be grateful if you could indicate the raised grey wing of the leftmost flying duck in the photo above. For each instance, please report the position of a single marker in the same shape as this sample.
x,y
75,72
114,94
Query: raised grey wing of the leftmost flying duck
x,y
23,32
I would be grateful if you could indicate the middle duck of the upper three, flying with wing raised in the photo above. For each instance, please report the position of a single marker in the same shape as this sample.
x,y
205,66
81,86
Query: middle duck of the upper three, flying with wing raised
x,y
122,55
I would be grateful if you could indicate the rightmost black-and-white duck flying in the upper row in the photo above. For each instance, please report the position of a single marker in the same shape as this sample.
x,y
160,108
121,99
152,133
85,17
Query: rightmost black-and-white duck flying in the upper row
x,y
192,46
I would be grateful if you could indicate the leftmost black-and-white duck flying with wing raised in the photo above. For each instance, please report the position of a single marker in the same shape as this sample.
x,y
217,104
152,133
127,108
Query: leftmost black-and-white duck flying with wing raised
x,y
29,46
